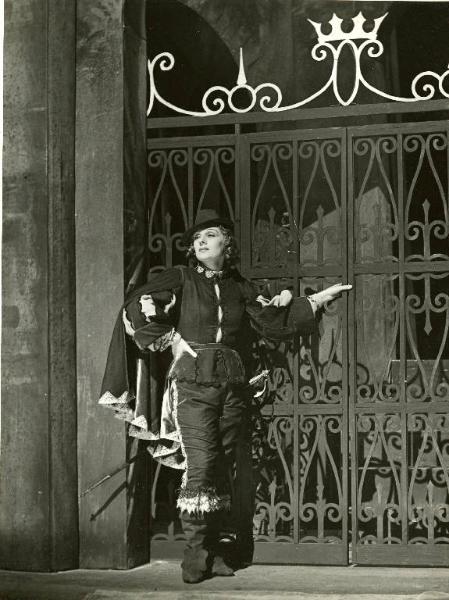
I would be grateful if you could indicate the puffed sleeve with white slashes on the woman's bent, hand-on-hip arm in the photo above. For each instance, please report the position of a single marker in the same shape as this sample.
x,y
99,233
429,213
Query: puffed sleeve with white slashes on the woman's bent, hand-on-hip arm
x,y
149,314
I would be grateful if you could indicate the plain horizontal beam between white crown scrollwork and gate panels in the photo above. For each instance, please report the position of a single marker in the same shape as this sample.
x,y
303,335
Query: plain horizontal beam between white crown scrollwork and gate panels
x,y
301,114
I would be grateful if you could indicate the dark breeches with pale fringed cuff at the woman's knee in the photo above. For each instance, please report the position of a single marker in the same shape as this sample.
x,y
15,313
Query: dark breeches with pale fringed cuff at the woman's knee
x,y
210,420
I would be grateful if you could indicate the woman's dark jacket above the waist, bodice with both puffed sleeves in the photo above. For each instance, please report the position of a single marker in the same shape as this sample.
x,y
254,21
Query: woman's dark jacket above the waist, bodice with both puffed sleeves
x,y
195,312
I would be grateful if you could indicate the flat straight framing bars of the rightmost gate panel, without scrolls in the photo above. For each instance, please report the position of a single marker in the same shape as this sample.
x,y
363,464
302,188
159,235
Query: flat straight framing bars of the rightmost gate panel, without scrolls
x,y
404,552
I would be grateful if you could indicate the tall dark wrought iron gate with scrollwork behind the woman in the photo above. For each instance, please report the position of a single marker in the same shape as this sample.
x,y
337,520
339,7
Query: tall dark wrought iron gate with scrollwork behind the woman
x,y
351,444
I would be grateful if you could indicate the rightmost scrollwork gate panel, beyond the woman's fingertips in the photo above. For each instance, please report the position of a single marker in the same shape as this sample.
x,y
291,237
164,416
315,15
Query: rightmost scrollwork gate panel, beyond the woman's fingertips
x,y
399,265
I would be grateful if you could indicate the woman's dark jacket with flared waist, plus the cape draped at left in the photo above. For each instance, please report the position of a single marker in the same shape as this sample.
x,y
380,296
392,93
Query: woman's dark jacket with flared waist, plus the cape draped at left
x,y
196,306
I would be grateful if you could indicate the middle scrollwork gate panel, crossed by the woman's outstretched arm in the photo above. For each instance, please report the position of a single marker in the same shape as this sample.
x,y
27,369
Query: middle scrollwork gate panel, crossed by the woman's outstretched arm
x,y
293,206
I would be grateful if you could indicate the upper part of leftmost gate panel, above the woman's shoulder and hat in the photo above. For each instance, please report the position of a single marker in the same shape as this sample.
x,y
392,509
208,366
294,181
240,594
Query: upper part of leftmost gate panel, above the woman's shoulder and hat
x,y
184,176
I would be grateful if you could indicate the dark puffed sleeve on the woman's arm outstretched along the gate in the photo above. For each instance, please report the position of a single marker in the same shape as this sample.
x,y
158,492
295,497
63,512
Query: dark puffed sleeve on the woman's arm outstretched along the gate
x,y
278,322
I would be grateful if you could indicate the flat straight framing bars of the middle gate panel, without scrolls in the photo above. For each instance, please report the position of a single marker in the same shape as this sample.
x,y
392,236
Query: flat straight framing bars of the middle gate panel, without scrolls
x,y
297,550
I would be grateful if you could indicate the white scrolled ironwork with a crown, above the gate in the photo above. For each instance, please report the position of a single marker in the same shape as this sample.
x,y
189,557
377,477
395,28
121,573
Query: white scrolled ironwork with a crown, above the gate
x,y
267,97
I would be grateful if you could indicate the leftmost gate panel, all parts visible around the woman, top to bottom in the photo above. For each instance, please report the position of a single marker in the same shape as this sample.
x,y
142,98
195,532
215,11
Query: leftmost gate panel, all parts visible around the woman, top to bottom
x,y
184,175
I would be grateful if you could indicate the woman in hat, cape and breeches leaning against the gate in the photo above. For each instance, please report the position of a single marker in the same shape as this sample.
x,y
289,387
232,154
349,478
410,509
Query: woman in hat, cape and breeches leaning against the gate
x,y
200,311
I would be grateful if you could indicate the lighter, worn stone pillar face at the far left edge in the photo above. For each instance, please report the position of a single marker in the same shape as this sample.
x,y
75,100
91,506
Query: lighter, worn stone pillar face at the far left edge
x,y
38,471
